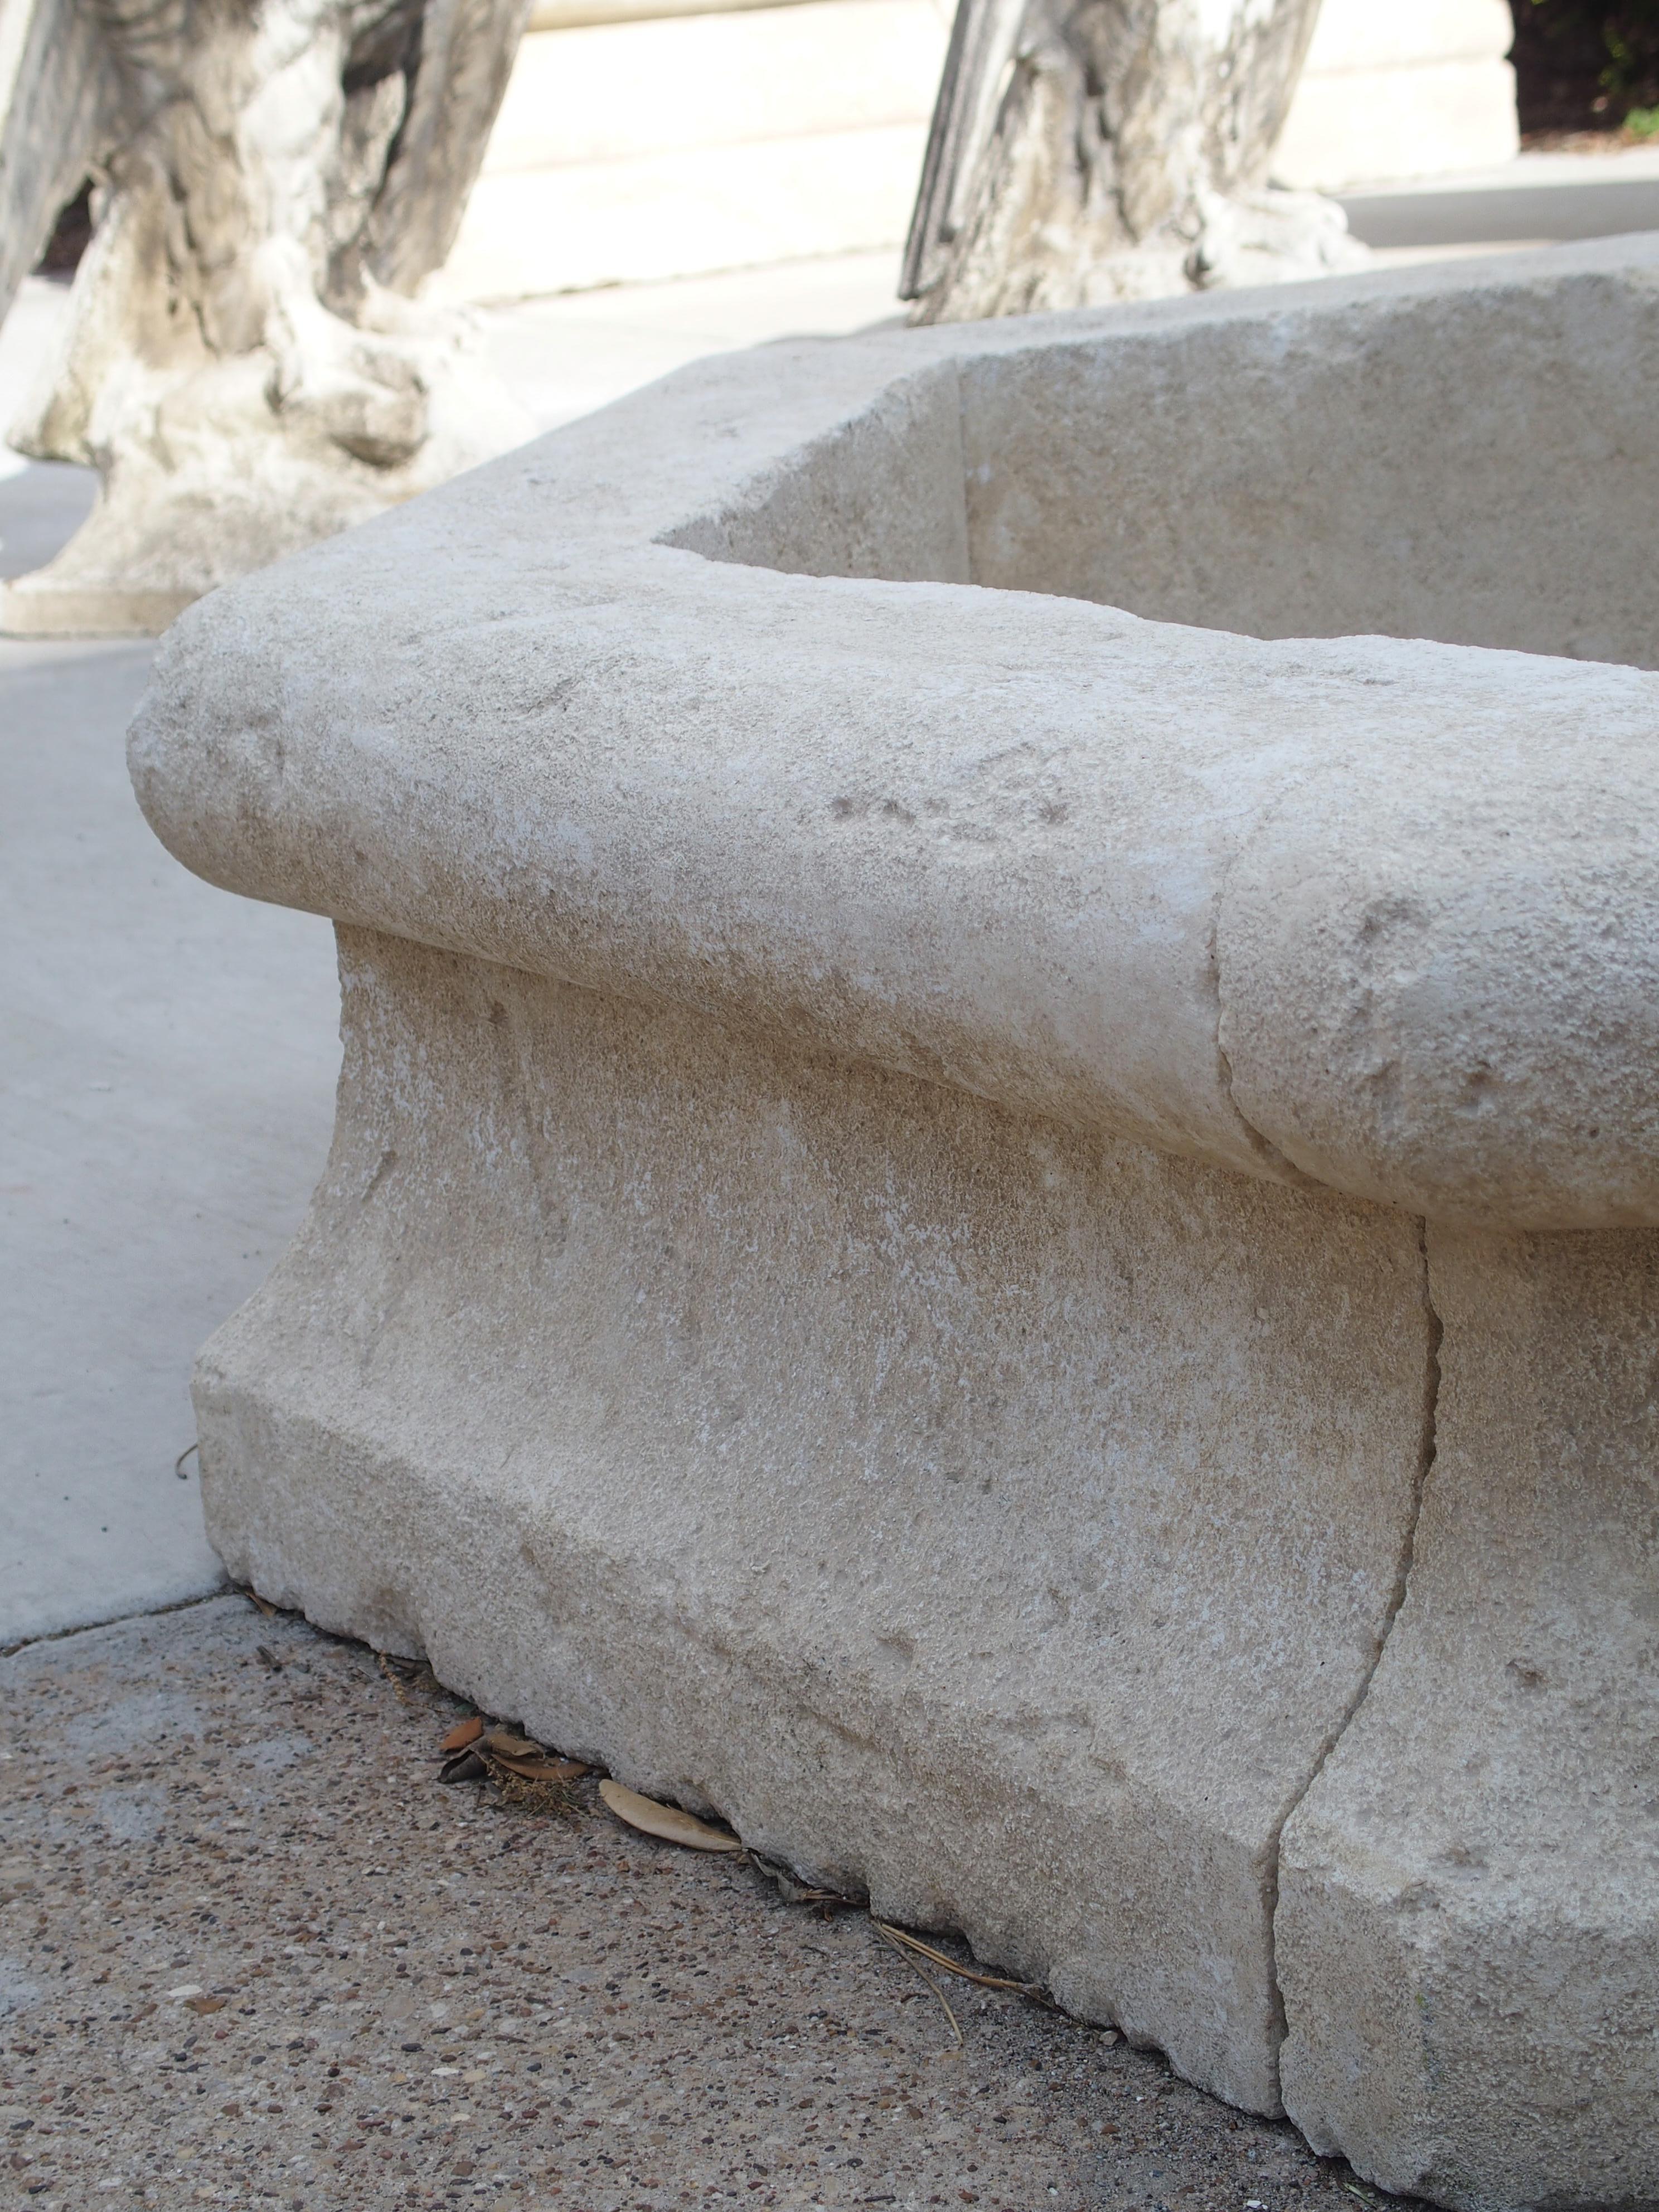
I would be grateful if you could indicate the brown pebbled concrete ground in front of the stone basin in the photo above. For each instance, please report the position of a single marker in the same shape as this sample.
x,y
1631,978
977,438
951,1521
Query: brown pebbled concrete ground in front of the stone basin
x,y
253,1954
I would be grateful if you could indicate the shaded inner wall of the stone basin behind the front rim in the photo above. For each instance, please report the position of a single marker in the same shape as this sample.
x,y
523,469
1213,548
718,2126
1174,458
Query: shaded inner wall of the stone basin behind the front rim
x,y
1472,472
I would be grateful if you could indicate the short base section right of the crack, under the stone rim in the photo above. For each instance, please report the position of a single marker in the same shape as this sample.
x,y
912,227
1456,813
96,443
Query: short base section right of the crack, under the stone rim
x,y
1468,1895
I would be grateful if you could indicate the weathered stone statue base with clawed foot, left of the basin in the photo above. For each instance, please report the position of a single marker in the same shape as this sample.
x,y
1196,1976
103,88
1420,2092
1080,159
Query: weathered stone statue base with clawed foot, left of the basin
x,y
244,359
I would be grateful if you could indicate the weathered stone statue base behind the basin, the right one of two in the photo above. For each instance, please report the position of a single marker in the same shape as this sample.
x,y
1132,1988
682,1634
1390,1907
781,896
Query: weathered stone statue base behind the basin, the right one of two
x,y
1087,152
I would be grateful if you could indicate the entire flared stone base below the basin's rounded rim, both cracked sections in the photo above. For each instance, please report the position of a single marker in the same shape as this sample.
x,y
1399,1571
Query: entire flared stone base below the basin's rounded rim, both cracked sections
x,y
1010,1525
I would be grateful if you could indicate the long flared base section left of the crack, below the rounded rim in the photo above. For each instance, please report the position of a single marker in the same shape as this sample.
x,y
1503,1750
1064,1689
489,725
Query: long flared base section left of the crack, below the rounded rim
x,y
977,1514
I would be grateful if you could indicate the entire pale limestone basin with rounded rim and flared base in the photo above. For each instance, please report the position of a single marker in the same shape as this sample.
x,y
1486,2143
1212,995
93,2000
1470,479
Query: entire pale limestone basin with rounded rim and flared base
x,y
937,1173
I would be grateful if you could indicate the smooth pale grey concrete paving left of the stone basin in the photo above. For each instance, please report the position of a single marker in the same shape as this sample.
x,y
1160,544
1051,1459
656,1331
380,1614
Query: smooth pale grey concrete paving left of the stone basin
x,y
167,1072
